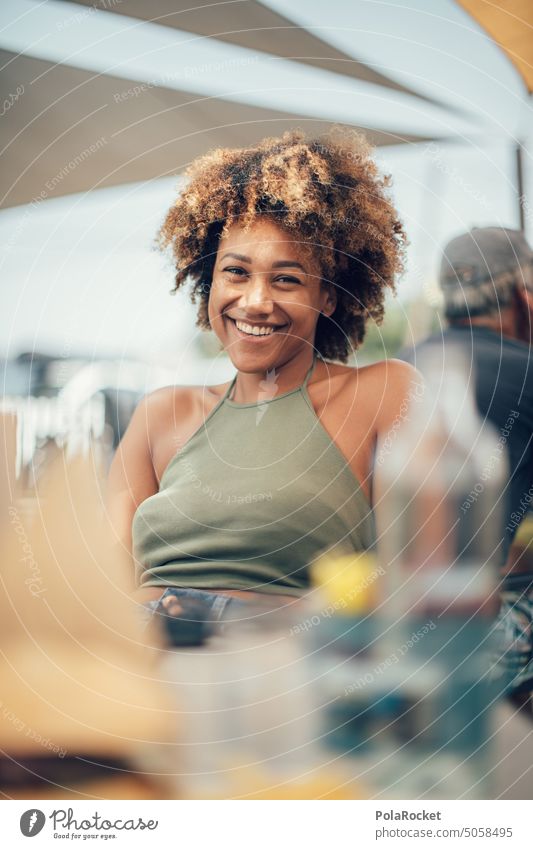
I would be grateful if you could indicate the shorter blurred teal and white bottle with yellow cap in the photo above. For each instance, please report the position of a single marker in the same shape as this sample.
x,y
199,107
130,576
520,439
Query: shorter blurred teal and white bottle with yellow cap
x,y
373,704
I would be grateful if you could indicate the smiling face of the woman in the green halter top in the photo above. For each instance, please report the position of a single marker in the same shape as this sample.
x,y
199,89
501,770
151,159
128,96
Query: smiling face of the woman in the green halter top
x,y
266,297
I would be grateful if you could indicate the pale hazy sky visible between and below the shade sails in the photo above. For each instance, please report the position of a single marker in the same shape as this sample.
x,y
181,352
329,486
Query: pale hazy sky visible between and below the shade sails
x,y
80,273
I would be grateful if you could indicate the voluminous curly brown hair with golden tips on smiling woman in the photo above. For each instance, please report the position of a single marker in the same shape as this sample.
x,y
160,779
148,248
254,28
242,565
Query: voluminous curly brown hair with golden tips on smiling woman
x,y
326,192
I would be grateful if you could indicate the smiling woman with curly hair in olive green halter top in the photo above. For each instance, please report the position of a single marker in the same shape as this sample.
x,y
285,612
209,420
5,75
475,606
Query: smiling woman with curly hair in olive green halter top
x,y
234,490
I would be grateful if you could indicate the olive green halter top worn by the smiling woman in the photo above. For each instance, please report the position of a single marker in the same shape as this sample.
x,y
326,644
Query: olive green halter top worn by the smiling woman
x,y
254,496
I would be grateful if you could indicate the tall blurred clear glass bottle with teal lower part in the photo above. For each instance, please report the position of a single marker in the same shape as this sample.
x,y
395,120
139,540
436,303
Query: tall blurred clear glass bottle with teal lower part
x,y
439,510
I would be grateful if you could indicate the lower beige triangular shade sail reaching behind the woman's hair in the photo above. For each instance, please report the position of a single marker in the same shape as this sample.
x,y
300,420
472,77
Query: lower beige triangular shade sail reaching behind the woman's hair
x,y
75,131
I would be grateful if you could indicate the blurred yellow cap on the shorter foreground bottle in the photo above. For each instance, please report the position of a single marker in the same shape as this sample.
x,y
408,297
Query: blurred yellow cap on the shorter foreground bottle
x,y
349,582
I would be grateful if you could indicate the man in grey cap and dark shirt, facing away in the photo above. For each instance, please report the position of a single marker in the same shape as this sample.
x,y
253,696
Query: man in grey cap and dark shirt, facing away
x,y
486,279
